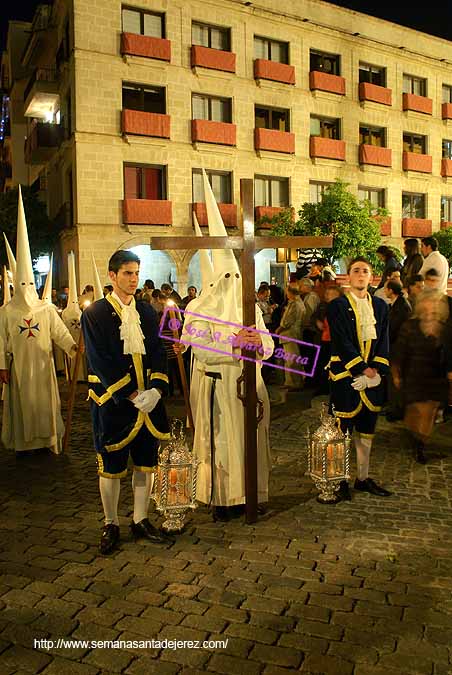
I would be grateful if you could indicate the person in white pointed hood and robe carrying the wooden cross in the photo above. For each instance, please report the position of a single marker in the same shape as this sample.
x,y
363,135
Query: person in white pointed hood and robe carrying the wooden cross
x,y
219,421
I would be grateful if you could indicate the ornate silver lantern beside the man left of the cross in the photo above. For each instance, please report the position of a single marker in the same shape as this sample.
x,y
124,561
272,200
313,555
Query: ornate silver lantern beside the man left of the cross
x,y
175,488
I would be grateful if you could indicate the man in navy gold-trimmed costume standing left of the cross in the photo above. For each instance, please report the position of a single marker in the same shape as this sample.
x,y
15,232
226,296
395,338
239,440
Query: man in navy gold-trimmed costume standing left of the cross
x,y
127,378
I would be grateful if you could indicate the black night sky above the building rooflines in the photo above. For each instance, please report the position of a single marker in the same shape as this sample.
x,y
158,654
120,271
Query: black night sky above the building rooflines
x,y
435,17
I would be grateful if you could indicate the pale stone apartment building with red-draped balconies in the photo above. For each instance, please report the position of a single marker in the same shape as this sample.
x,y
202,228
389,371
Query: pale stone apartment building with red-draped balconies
x,y
125,102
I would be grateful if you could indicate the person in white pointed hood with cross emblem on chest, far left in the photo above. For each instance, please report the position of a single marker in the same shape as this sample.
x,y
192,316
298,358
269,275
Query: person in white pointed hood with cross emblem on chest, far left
x,y
31,412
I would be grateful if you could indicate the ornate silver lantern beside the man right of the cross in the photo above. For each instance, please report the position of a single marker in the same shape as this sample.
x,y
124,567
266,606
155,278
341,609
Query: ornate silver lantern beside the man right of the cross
x,y
328,457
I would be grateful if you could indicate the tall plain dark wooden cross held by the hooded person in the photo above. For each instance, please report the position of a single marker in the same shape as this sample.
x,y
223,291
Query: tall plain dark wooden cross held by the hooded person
x,y
248,244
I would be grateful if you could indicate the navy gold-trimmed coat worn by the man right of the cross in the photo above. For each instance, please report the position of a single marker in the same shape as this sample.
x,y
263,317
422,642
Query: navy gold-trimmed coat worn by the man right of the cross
x,y
350,356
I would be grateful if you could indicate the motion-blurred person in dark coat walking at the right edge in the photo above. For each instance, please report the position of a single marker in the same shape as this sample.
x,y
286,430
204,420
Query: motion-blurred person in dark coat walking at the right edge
x,y
419,366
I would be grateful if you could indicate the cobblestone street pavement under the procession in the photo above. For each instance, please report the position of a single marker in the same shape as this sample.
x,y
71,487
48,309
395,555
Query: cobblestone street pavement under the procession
x,y
361,587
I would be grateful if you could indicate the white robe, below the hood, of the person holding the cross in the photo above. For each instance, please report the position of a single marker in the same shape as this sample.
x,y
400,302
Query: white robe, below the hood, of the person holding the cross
x,y
228,416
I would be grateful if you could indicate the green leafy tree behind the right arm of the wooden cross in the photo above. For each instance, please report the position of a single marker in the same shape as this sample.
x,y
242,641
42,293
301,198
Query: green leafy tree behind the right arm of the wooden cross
x,y
354,225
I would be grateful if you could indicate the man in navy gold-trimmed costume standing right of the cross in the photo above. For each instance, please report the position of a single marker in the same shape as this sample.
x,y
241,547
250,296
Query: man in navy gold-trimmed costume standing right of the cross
x,y
359,359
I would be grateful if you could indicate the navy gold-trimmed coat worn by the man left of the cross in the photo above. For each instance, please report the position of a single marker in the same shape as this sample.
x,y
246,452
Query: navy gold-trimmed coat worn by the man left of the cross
x,y
113,375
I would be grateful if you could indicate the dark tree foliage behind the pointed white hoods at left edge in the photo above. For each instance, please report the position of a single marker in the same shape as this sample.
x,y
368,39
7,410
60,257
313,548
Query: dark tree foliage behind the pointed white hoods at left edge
x,y
42,233
